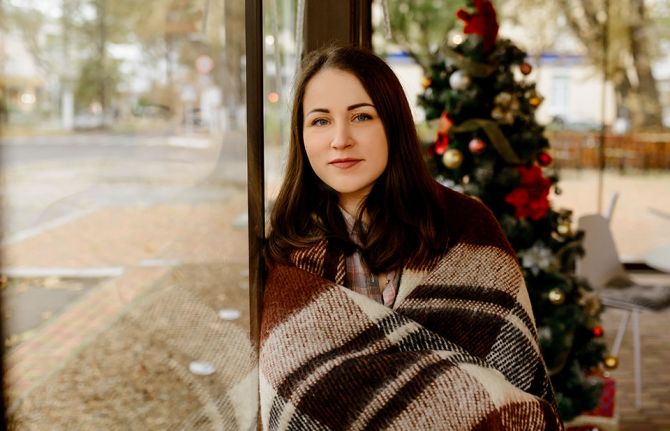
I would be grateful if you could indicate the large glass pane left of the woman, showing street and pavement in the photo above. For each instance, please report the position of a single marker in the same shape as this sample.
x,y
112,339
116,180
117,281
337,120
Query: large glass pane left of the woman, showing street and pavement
x,y
124,202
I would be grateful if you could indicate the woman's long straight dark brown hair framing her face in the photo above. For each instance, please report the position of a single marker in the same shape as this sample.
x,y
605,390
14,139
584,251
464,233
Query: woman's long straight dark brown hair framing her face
x,y
403,208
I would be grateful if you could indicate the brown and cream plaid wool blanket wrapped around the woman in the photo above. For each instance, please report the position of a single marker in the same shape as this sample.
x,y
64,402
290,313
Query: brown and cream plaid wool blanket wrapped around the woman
x,y
458,350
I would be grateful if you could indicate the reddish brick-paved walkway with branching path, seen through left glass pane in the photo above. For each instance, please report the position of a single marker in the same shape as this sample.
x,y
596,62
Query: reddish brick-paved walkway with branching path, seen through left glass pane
x,y
146,243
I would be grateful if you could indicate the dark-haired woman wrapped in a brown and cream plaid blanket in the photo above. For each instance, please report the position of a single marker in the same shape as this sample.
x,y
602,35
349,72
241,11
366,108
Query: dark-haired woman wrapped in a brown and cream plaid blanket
x,y
391,302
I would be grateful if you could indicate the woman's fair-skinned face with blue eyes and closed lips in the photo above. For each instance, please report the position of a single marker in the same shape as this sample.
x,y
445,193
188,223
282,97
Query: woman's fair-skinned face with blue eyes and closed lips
x,y
344,137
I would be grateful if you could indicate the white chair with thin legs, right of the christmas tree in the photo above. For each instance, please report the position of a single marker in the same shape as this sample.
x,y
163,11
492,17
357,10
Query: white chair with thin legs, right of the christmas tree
x,y
602,268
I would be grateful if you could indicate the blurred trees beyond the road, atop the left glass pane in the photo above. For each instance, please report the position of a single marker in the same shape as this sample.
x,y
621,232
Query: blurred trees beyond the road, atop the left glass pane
x,y
93,49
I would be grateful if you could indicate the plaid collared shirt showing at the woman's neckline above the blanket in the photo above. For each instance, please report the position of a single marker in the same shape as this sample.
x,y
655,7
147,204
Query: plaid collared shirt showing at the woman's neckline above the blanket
x,y
360,279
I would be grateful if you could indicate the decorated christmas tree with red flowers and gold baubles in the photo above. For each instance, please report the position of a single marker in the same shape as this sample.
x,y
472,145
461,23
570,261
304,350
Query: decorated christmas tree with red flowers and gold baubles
x,y
490,146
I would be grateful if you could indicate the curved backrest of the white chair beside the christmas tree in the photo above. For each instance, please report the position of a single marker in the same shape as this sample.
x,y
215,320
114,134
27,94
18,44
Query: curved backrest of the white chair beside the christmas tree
x,y
600,263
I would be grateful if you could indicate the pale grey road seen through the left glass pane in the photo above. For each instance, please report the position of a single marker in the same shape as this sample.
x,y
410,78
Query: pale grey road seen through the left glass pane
x,y
50,178
